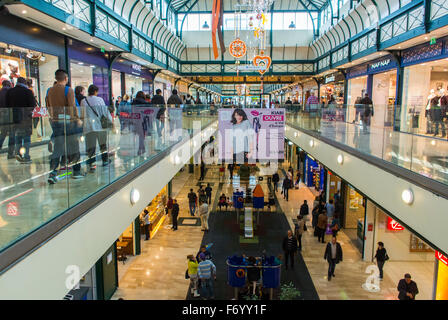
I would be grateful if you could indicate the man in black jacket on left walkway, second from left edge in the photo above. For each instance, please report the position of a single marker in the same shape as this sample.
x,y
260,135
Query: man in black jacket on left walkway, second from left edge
x,y
22,100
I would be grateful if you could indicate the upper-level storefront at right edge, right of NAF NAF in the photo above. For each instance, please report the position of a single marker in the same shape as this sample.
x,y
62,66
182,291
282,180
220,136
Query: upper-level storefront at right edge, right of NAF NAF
x,y
425,77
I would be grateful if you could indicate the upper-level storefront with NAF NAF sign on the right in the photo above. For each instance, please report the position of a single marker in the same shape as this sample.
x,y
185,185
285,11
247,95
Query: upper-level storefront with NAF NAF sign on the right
x,y
379,80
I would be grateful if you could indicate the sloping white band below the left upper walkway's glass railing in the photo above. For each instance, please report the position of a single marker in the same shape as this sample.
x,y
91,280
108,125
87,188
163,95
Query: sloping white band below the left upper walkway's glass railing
x,y
41,275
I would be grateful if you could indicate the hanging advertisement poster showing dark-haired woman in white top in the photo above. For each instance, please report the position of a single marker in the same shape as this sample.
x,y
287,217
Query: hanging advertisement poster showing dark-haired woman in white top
x,y
247,135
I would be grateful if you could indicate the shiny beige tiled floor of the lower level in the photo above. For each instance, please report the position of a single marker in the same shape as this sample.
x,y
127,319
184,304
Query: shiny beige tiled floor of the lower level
x,y
158,273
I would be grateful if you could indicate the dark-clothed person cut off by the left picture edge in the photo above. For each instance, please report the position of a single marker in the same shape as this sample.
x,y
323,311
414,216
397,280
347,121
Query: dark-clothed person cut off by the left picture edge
x,y
6,123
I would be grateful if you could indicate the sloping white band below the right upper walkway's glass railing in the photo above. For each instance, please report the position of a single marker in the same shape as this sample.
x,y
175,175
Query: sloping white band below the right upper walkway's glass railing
x,y
425,215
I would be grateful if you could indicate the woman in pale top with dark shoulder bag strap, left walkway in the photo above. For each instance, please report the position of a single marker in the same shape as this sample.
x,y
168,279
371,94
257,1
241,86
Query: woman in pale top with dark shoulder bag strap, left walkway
x,y
93,111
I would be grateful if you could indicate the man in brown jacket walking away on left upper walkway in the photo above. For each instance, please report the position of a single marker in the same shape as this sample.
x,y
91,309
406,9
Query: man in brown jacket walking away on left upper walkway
x,y
66,125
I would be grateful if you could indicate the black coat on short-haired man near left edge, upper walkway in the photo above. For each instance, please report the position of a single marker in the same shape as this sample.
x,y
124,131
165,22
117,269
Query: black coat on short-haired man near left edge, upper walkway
x,y
22,101
